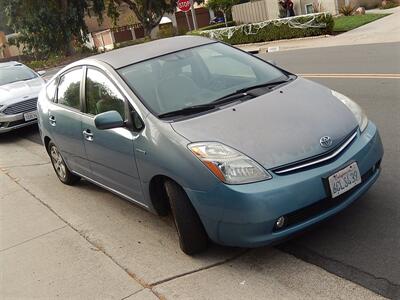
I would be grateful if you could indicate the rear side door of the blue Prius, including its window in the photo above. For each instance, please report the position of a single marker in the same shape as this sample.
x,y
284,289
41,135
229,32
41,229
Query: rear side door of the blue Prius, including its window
x,y
65,119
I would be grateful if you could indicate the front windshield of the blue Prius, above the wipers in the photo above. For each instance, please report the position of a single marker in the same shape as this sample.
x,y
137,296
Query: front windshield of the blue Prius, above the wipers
x,y
196,76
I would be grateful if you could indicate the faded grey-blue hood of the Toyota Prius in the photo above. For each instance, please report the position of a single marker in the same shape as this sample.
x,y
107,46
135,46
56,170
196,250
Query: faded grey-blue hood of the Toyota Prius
x,y
277,128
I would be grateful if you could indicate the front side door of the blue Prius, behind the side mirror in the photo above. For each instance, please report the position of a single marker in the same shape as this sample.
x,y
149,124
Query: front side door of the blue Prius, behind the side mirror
x,y
110,152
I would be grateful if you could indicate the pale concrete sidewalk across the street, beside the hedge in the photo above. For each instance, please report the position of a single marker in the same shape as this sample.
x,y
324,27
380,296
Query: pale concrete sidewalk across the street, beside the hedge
x,y
384,30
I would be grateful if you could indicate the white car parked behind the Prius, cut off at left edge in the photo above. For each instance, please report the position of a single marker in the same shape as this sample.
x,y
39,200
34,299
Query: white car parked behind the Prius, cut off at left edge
x,y
19,90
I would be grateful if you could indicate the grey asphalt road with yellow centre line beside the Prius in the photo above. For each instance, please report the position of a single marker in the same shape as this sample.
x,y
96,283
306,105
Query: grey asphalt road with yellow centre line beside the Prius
x,y
362,243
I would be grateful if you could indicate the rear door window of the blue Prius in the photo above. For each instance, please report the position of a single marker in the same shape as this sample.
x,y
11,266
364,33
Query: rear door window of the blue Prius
x,y
68,89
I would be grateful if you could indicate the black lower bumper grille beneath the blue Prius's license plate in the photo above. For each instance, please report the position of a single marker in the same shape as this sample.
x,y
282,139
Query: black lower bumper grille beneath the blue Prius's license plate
x,y
322,206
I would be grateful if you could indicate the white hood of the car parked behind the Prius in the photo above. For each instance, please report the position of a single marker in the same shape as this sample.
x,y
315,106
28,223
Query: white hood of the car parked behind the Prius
x,y
20,90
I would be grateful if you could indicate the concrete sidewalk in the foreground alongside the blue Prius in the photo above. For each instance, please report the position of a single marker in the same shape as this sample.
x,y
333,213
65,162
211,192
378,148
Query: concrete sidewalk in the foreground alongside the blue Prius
x,y
82,242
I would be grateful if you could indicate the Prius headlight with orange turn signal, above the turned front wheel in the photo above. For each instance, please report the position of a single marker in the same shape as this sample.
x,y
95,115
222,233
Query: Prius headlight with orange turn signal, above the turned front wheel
x,y
229,165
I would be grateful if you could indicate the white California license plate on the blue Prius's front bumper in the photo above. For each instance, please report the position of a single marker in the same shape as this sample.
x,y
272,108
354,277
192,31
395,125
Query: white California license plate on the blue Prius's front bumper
x,y
344,180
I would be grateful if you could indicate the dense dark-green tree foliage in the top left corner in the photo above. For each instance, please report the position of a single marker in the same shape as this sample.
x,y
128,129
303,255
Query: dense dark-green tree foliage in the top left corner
x,y
49,26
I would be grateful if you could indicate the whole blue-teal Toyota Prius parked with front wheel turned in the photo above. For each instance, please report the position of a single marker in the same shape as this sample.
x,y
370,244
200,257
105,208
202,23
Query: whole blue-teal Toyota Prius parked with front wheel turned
x,y
241,152
